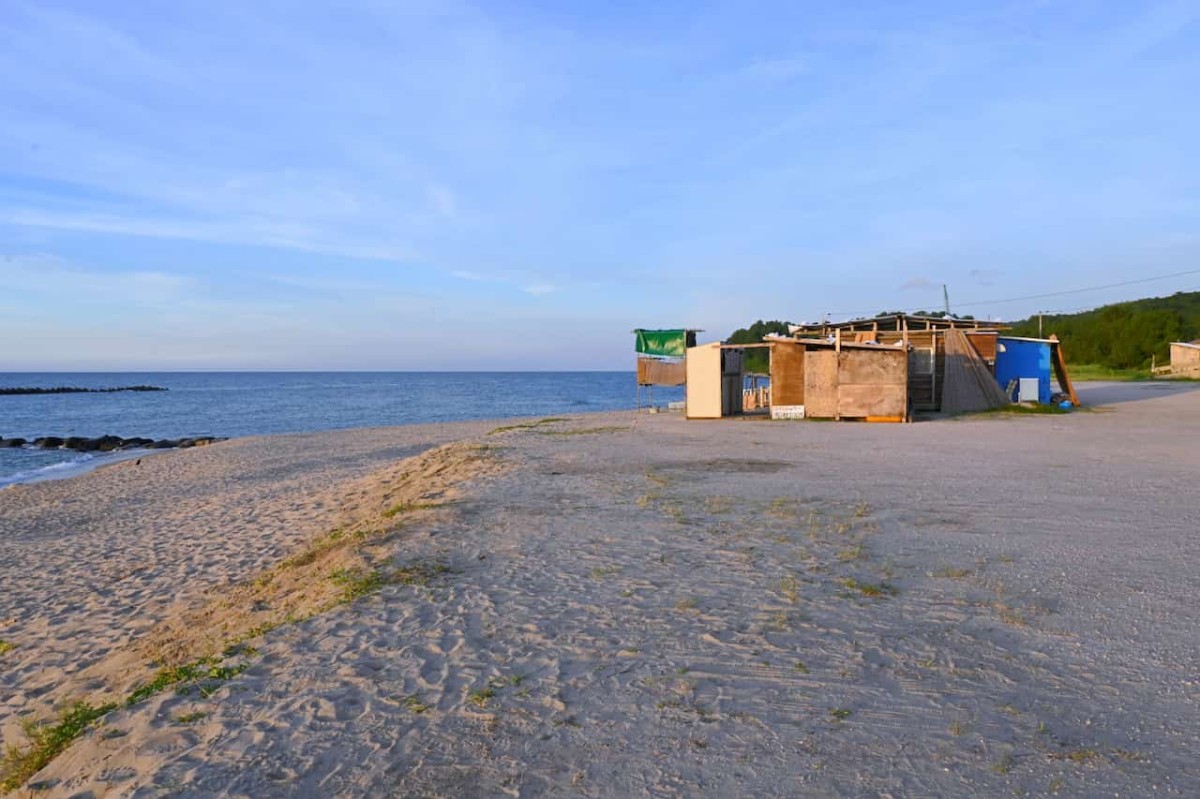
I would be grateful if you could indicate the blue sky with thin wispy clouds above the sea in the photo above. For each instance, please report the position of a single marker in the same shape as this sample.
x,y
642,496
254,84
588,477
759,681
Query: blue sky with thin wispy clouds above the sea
x,y
392,185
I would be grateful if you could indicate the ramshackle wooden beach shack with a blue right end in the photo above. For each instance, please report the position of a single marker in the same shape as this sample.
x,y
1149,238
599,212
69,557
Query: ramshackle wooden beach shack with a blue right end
x,y
879,370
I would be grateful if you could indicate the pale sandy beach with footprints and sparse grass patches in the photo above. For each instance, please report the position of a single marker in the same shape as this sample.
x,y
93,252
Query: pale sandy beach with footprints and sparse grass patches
x,y
623,605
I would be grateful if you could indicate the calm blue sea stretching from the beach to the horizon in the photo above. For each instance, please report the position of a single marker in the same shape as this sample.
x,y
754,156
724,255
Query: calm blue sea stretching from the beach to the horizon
x,y
231,405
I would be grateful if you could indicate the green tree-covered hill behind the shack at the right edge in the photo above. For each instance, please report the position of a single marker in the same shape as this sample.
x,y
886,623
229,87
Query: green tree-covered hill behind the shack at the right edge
x,y
1125,335
